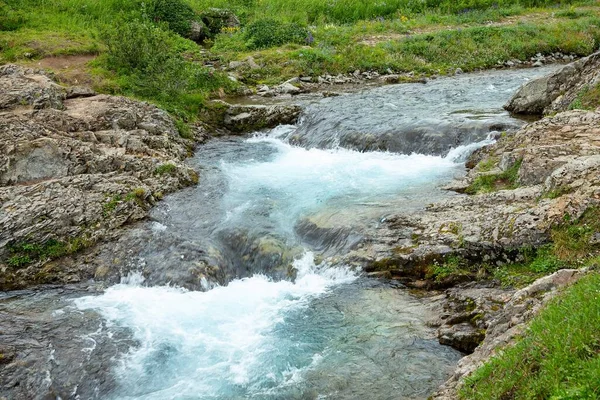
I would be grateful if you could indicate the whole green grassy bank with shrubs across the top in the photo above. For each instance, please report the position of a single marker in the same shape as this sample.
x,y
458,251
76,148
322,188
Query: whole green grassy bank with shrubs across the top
x,y
141,51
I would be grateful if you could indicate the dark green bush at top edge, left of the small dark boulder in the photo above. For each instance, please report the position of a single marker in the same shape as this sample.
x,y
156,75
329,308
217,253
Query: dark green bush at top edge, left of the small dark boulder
x,y
177,14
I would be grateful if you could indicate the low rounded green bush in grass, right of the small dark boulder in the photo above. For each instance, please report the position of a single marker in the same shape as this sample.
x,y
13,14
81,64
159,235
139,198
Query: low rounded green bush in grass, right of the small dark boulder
x,y
269,33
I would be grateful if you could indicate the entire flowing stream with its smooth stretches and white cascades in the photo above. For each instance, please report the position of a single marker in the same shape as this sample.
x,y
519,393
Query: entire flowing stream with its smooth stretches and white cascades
x,y
225,294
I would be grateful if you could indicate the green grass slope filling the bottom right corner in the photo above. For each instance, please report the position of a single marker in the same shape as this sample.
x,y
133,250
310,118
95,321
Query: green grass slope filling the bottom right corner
x,y
558,357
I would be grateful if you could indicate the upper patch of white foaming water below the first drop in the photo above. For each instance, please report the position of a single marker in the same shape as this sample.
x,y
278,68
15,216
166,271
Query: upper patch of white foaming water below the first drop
x,y
296,180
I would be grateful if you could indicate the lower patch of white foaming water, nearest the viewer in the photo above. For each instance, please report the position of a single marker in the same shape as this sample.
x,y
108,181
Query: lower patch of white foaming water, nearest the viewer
x,y
223,343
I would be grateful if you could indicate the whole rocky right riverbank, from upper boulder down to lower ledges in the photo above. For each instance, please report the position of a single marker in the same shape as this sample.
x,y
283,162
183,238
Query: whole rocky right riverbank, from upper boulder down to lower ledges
x,y
519,190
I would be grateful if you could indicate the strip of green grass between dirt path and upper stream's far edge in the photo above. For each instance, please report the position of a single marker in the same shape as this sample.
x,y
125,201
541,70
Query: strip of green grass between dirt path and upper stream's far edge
x,y
343,49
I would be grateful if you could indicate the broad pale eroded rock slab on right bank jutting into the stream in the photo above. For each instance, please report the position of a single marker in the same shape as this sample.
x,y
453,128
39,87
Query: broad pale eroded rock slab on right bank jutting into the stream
x,y
559,176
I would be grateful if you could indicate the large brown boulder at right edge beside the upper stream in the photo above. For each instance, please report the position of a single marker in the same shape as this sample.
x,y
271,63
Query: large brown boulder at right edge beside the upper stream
x,y
556,92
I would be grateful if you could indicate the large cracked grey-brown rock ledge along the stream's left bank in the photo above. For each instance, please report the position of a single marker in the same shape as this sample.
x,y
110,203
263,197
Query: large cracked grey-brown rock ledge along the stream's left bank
x,y
74,168
